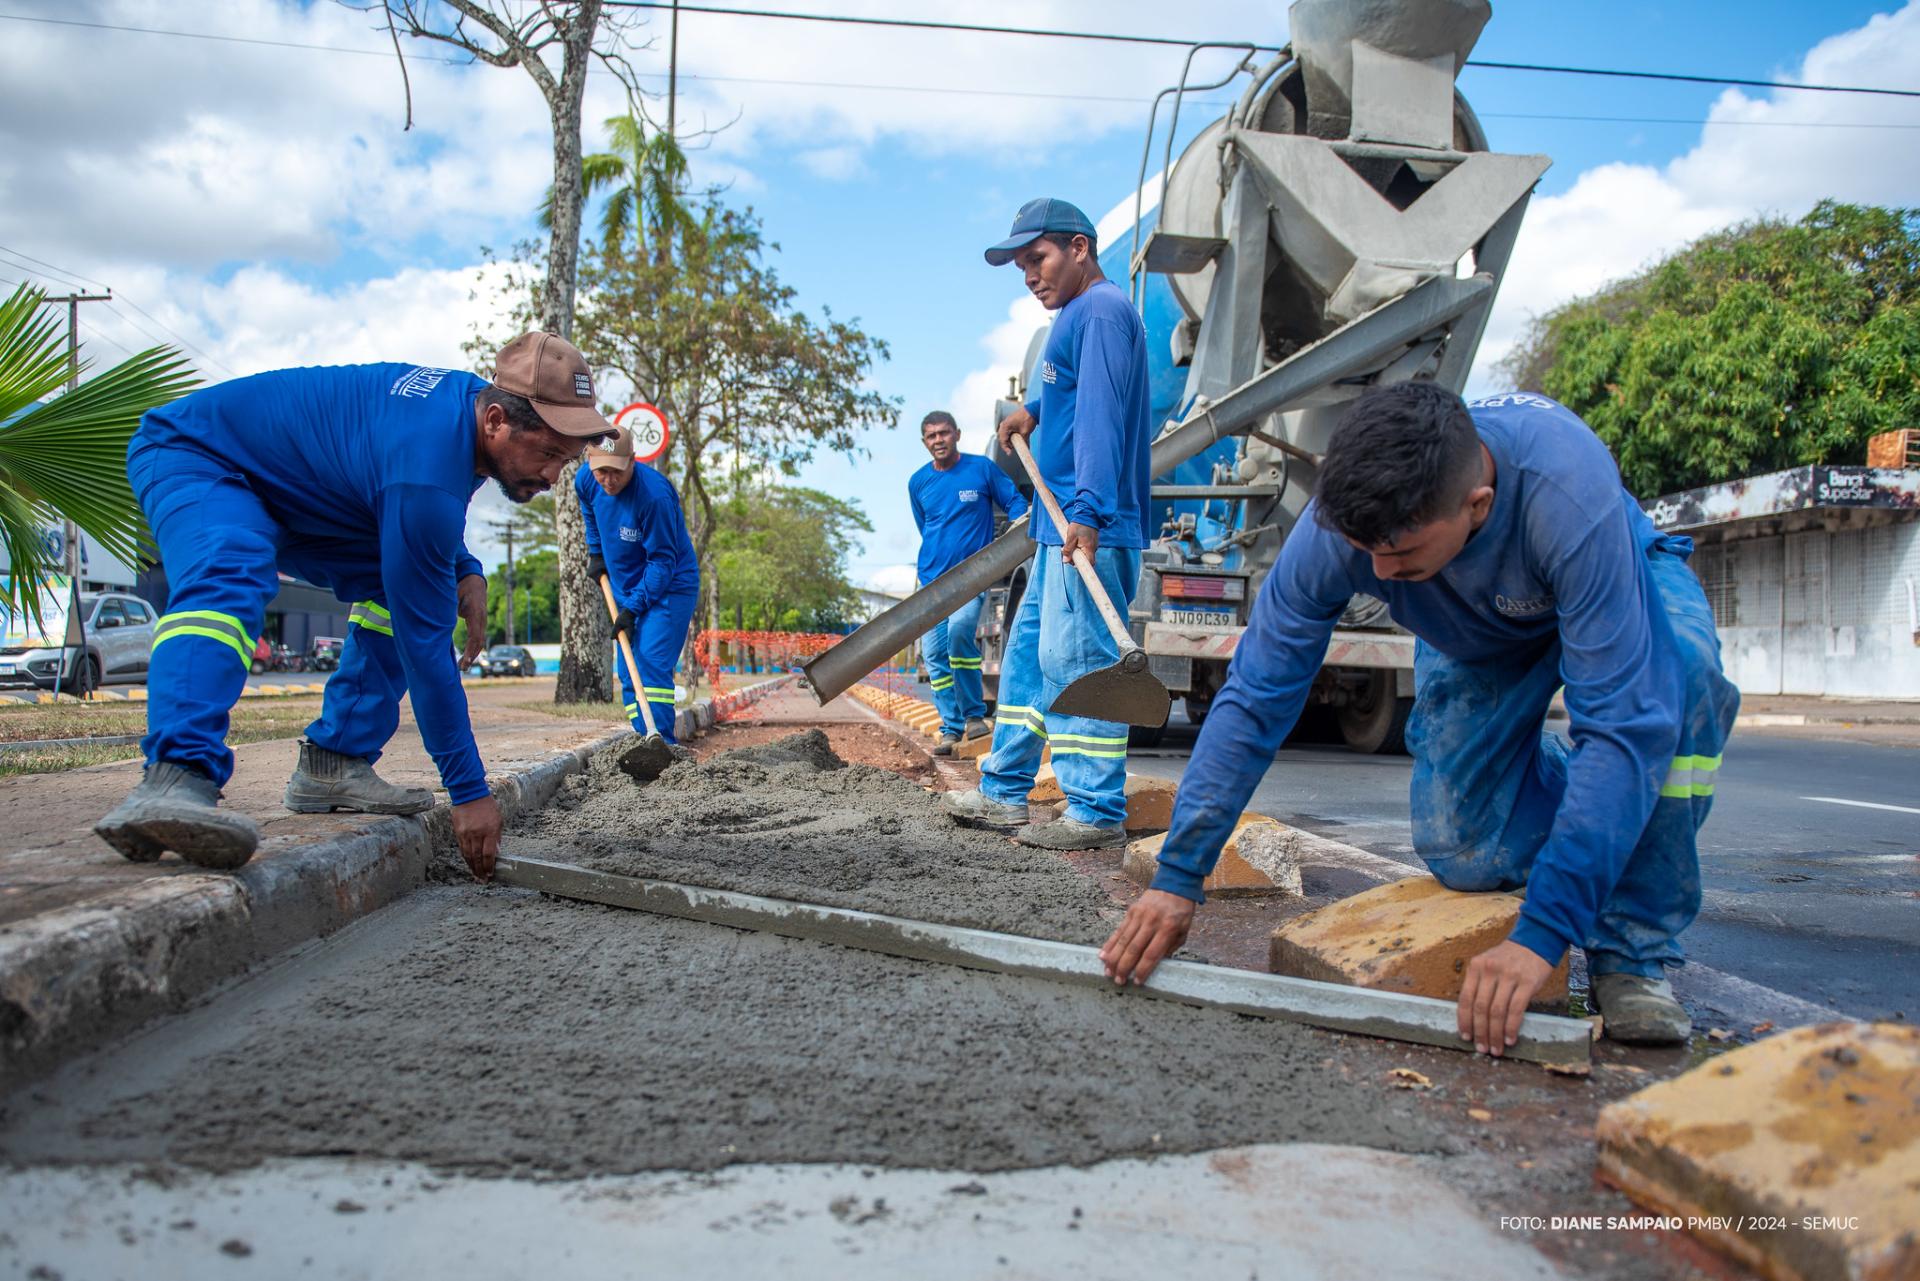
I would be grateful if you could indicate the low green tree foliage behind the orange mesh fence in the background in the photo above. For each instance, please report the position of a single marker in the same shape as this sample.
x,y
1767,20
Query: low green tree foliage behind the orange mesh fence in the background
x,y
782,558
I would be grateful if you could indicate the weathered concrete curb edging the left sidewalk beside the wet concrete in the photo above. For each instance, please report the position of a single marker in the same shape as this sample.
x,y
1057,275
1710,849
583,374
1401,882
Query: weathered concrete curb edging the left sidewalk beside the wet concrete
x,y
78,979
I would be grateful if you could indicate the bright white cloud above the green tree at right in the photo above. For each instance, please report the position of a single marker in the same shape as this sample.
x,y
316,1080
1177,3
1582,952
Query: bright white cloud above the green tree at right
x,y
1773,157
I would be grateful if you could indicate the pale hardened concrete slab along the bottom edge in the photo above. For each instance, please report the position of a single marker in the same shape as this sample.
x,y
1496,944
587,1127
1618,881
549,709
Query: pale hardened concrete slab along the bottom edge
x,y
1272,1211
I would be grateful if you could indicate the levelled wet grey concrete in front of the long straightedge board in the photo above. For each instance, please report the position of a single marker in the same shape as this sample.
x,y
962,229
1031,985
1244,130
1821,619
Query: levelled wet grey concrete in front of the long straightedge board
x,y
500,1034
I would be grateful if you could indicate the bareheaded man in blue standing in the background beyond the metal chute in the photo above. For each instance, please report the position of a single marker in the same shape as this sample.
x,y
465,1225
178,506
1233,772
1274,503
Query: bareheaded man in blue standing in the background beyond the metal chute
x,y
953,502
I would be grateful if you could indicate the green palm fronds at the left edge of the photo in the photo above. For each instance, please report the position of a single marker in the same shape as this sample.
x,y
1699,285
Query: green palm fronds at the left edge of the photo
x,y
66,460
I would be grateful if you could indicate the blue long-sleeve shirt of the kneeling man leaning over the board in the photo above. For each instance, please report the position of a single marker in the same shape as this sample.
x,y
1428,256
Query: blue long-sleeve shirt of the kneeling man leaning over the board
x,y
1562,552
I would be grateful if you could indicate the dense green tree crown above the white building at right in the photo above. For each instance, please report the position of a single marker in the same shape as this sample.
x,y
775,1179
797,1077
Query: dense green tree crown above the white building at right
x,y
1758,349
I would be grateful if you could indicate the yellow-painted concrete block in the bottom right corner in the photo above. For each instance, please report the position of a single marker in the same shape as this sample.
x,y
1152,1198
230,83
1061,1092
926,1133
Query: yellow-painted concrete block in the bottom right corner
x,y
1798,1155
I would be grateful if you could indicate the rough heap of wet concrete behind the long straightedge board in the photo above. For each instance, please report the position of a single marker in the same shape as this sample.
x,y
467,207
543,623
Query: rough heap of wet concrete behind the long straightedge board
x,y
792,821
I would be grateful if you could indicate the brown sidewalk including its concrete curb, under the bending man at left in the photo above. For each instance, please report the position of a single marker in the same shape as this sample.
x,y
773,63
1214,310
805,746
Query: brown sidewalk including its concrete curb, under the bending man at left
x,y
91,944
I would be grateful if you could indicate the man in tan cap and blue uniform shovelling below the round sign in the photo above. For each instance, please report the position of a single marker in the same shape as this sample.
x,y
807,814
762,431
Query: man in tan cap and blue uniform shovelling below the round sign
x,y
638,541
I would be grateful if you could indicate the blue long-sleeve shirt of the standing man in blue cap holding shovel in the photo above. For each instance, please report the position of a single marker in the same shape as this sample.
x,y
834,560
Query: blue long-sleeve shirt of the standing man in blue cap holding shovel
x,y
1095,437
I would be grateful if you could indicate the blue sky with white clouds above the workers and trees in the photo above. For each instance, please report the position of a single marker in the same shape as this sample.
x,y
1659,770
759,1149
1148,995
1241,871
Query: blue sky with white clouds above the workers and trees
x,y
262,205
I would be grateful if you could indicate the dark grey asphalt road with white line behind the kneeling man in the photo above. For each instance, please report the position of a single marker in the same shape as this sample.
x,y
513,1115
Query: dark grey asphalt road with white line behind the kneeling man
x,y
1810,888
